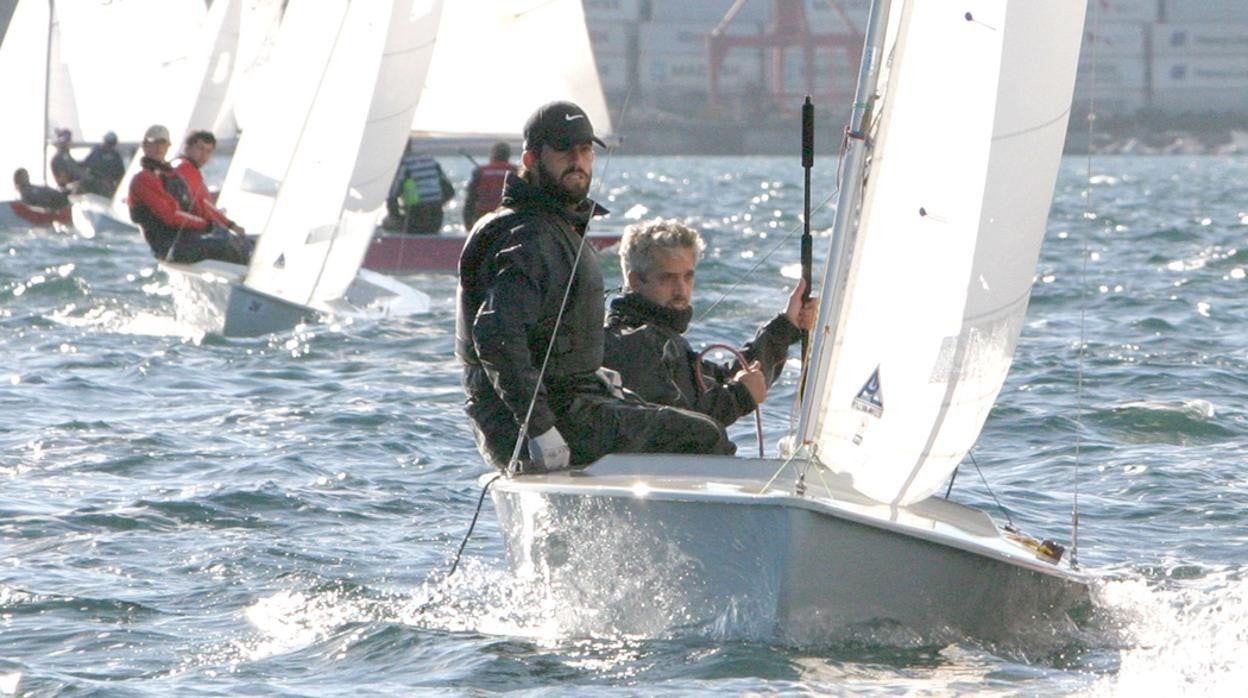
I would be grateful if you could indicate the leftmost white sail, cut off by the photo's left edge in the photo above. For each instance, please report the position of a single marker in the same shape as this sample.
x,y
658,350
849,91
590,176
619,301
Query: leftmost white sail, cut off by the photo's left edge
x,y
23,78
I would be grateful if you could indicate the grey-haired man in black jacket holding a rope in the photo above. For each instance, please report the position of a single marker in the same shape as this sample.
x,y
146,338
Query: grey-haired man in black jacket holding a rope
x,y
646,329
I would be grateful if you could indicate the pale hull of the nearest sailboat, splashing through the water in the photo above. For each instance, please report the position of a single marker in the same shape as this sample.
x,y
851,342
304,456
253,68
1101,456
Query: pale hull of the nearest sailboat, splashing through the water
x,y
650,544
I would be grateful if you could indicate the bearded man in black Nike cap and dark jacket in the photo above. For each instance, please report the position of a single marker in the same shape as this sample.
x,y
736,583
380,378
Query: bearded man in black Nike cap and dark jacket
x,y
529,330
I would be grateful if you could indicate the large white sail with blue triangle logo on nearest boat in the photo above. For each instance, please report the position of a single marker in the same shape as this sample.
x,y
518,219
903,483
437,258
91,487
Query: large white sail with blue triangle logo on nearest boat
x,y
954,212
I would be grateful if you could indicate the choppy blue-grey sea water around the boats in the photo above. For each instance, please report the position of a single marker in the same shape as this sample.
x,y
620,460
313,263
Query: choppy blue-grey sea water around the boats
x,y
187,515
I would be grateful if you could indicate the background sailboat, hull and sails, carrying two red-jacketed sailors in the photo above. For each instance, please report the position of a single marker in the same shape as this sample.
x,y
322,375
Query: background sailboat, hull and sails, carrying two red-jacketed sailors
x,y
314,172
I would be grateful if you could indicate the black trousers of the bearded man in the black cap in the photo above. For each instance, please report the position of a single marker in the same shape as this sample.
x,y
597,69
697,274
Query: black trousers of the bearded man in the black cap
x,y
596,424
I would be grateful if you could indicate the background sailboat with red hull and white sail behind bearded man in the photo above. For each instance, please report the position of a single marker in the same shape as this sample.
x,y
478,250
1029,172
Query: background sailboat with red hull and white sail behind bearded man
x,y
466,103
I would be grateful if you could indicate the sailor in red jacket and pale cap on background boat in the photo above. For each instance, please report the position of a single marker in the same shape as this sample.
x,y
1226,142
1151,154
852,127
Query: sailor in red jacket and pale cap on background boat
x,y
162,207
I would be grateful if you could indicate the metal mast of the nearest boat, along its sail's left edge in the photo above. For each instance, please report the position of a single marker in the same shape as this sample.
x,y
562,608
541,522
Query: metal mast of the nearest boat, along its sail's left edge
x,y
846,225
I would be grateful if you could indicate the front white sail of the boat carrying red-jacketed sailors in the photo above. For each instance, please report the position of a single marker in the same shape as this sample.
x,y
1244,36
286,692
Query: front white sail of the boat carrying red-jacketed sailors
x,y
346,152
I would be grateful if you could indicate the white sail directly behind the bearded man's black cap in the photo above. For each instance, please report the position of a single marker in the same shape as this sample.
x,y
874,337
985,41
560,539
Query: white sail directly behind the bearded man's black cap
x,y
539,52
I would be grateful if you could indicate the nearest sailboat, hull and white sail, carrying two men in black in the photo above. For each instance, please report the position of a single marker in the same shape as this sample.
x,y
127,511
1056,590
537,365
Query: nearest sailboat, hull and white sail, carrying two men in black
x,y
967,111
